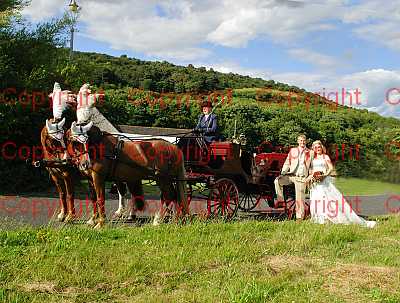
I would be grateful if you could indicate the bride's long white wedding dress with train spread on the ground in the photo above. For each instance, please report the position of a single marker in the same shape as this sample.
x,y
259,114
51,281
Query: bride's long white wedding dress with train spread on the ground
x,y
327,204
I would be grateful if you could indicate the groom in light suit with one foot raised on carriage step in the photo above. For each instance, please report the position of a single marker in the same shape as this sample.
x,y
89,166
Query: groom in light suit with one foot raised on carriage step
x,y
295,170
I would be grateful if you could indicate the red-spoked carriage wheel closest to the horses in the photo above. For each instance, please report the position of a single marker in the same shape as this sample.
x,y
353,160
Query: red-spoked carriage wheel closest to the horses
x,y
223,199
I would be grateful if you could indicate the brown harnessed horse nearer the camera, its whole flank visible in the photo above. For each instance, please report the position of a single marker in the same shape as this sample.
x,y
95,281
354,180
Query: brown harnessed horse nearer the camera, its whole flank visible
x,y
101,156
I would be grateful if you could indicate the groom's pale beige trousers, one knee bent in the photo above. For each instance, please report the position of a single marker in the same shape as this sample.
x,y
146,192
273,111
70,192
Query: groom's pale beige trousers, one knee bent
x,y
300,187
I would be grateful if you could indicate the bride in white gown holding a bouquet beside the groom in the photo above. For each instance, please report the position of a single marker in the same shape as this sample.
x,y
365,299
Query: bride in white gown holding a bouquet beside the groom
x,y
326,202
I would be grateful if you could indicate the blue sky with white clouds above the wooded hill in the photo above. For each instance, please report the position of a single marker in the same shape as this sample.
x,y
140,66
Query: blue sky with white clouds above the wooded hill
x,y
315,45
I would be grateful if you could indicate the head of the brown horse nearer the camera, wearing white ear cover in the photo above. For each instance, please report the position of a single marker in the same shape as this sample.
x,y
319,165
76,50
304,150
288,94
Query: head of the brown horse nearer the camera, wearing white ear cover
x,y
78,144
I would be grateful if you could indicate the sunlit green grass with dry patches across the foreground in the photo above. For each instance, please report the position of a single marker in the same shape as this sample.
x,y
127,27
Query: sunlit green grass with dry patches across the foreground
x,y
246,261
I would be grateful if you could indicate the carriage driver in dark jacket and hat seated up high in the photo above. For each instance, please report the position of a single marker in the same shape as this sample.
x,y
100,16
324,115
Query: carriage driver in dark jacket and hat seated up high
x,y
207,123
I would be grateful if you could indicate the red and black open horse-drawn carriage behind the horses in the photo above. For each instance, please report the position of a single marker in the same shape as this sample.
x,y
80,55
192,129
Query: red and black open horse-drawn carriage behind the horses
x,y
230,179
